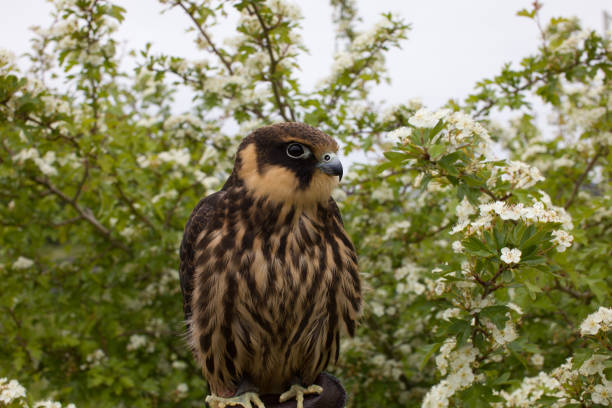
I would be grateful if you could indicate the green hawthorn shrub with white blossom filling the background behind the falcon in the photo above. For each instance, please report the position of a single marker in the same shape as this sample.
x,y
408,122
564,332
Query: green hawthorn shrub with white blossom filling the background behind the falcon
x,y
485,247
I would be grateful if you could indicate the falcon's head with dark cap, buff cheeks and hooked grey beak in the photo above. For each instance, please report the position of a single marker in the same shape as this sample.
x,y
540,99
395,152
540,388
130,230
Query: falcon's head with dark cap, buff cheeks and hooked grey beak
x,y
289,163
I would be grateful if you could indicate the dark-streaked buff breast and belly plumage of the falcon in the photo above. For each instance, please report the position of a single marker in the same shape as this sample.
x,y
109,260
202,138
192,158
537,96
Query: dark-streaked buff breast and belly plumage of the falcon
x,y
267,282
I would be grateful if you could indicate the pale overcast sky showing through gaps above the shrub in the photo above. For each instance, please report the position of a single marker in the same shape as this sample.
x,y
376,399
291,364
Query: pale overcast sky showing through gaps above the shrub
x,y
451,46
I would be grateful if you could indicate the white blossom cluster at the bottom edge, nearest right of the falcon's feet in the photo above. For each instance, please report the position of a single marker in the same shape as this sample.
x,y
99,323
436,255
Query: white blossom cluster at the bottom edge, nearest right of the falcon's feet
x,y
458,364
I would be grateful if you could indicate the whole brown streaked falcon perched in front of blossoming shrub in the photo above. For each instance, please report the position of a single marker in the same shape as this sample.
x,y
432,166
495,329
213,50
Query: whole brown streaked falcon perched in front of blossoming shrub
x,y
268,274
